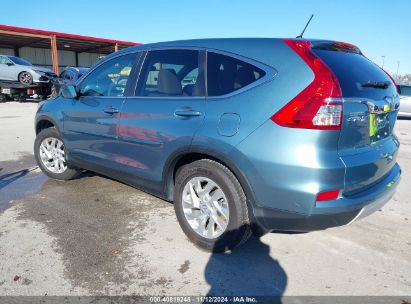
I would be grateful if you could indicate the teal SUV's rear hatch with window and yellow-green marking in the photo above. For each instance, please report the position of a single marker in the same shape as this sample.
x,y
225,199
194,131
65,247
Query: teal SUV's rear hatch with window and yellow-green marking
x,y
367,144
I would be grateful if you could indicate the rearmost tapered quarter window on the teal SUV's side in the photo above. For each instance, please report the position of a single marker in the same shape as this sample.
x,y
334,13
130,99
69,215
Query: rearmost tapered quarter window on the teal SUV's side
x,y
226,74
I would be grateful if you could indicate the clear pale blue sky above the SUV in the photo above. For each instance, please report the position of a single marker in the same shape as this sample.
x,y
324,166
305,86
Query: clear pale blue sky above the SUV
x,y
379,28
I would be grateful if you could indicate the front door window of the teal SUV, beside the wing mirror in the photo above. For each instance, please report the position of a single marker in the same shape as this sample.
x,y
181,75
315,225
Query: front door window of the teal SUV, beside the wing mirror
x,y
110,78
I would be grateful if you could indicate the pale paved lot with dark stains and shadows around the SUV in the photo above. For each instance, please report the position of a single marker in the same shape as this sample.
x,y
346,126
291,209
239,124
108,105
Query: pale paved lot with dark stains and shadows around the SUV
x,y
94,235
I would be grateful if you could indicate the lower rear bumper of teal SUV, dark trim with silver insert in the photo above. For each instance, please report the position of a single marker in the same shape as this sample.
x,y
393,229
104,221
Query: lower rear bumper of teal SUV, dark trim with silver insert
x,y
341,211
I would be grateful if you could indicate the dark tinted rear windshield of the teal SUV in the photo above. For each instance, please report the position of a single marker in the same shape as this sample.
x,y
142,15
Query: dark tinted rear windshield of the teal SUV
x,y
353,70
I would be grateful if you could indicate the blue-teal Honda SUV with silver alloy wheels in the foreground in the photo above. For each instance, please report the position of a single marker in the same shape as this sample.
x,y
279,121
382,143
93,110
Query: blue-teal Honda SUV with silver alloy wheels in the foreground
x,y
274,134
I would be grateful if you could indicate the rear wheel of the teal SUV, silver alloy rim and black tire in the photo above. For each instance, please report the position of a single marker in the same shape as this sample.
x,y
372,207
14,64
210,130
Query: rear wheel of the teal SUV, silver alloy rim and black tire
x,y
237,226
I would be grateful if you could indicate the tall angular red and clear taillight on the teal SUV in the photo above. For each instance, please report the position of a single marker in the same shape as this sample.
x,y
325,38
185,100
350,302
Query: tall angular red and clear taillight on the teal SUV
x,y
319,105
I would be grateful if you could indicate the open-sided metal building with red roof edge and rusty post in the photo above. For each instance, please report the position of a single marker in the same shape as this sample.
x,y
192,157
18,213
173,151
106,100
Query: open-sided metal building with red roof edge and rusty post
x,y
56,50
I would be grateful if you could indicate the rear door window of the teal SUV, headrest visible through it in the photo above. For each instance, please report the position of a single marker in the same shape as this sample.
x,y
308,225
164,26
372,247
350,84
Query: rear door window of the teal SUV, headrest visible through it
x,y
171,73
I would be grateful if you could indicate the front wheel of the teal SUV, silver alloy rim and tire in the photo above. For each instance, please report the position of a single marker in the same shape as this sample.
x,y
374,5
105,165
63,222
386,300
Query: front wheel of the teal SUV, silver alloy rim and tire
x,y
55,169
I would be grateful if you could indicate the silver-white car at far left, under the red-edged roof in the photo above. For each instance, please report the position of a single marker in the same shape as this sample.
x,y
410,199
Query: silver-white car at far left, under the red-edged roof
x,y
14,68
